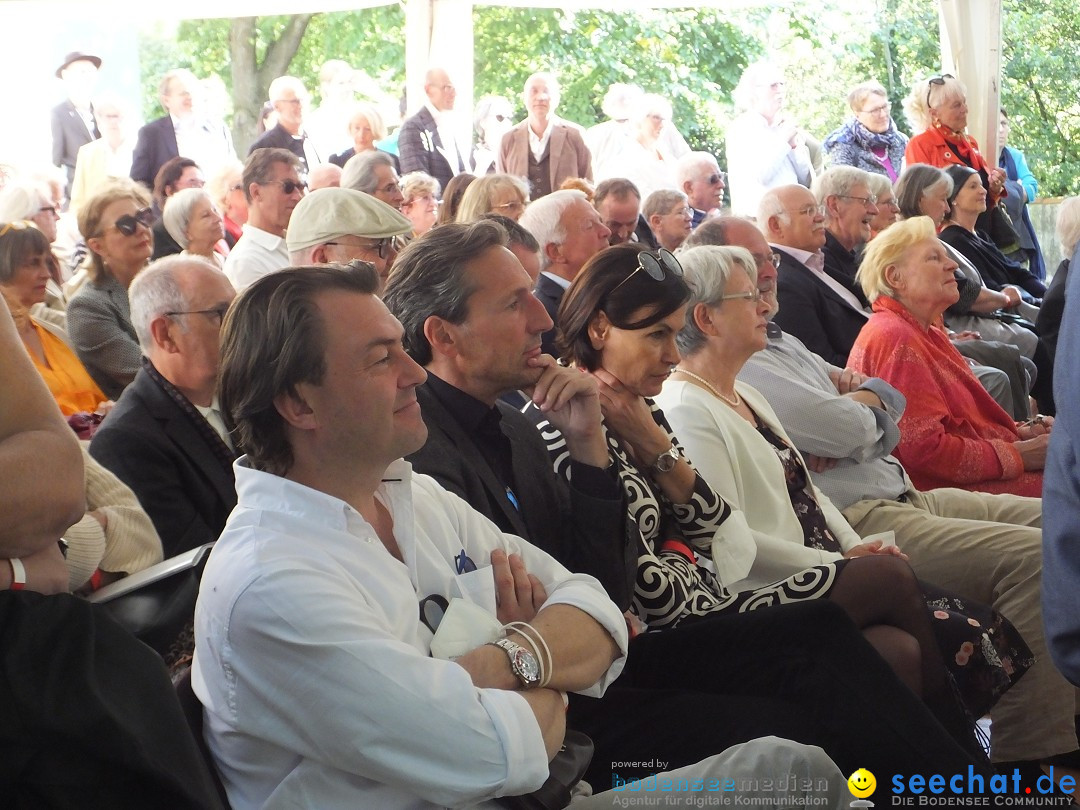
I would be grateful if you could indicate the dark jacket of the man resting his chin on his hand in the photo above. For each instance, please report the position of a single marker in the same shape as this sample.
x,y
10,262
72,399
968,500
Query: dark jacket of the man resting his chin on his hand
x,y
587,535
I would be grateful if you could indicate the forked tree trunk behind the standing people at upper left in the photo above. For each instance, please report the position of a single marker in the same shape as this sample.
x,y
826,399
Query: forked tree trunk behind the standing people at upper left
x,y
250,79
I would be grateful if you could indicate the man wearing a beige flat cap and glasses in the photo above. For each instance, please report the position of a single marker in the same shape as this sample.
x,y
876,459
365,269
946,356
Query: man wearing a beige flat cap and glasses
x,y
341,225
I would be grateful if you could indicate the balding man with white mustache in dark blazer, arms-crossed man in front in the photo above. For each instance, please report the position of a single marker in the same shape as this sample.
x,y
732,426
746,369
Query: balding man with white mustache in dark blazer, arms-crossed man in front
x,y
814,306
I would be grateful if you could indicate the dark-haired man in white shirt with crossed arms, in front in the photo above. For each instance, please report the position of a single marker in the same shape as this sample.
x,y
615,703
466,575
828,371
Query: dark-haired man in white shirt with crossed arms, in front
x,y
314,663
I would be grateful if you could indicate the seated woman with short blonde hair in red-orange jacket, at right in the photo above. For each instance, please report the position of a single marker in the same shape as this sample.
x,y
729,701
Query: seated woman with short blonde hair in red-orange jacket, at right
x,y
953,434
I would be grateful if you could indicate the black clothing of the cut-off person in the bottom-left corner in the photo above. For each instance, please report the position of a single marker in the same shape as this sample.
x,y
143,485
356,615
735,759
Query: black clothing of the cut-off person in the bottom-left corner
x,y
90,719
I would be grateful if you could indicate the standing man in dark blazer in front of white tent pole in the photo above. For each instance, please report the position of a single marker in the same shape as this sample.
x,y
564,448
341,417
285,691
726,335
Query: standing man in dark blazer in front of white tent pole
x,y
427,142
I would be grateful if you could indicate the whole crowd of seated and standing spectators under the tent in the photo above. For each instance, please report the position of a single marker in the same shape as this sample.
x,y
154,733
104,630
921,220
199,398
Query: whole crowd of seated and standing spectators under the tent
x,y
613,383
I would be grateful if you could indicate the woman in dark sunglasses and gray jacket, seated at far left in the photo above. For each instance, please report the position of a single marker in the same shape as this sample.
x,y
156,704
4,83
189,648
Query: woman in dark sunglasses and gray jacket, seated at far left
x,y
116,225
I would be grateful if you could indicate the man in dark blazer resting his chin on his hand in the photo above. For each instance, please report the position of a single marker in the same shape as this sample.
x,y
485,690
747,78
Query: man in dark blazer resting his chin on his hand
x,y
479,349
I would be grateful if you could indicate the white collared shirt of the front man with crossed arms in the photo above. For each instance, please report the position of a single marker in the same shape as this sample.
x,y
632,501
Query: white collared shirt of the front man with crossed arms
x,y
313,660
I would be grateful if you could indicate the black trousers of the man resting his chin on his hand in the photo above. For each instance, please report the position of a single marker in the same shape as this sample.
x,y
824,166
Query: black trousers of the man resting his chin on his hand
x,y
800,671
